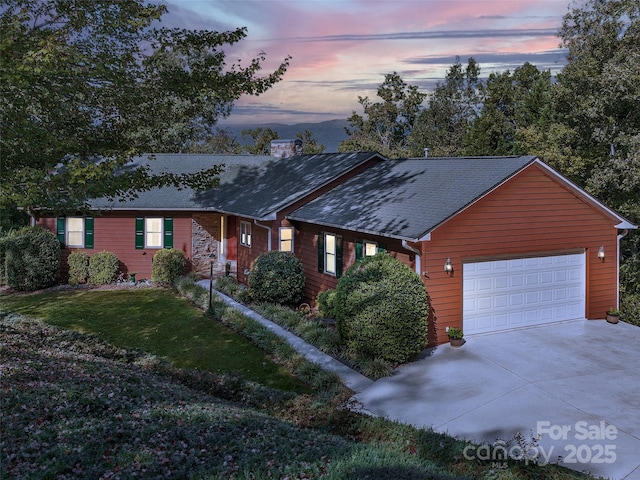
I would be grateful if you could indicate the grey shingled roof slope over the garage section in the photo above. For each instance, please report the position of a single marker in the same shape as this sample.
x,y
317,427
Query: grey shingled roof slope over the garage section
x,y
408,198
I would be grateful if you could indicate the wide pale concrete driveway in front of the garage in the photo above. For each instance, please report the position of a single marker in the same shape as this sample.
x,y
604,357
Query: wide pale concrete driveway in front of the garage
x,y
577,383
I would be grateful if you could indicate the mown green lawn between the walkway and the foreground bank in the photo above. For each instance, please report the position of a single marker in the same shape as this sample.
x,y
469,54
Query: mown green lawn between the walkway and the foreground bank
x,y
159,322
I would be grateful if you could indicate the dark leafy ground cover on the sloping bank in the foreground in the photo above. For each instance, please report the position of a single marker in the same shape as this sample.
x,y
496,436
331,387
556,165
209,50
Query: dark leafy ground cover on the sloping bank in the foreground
x,y
76,407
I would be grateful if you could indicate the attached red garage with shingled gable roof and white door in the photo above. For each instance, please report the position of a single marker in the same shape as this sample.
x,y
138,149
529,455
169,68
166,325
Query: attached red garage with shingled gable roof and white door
x,y
500,242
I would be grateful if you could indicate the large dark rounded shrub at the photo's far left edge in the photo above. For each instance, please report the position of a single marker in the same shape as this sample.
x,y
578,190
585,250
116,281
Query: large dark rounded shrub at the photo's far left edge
x,y
31,259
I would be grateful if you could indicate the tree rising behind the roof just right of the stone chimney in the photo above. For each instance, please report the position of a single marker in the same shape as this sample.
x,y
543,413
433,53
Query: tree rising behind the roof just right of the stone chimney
x,y
385,125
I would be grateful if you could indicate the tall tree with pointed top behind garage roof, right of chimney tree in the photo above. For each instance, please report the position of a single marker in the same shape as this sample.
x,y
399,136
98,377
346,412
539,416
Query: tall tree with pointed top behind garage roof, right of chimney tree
x,y
453,106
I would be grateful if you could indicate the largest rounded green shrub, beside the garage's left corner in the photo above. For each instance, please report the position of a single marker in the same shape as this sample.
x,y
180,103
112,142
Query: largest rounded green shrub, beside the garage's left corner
x,y
381,309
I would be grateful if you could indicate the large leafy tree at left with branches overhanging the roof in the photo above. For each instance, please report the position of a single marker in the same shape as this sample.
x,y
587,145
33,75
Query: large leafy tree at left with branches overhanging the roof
x,y
85,85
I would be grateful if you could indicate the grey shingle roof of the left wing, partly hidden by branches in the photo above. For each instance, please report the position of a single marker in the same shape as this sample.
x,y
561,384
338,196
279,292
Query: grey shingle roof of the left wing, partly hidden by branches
x,y
172,198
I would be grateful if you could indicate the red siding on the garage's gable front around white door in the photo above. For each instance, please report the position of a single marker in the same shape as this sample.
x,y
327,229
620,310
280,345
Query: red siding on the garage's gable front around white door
x,y
530,215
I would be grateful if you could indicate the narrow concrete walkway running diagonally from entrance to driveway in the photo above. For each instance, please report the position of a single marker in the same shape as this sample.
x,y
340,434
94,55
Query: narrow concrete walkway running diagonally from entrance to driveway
x,y
350,378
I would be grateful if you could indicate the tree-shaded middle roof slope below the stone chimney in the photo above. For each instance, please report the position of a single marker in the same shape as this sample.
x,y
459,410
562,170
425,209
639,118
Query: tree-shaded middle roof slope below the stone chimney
x,y
280,183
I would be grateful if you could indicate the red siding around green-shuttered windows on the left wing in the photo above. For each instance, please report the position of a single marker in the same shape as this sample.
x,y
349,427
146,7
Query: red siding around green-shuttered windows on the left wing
x,y
115,232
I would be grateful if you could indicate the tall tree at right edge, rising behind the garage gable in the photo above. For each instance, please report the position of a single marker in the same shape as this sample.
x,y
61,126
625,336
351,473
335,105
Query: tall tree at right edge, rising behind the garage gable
x,y
598,106
